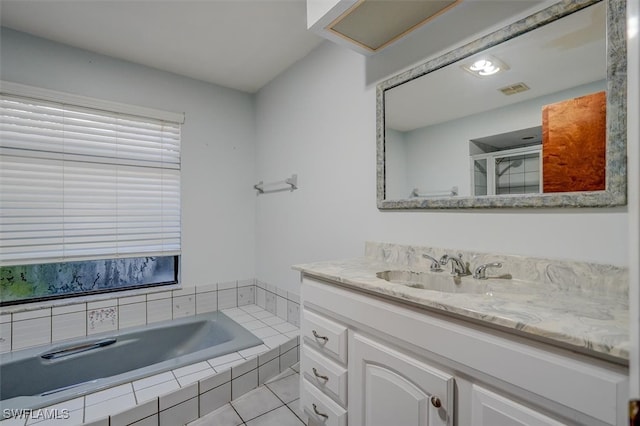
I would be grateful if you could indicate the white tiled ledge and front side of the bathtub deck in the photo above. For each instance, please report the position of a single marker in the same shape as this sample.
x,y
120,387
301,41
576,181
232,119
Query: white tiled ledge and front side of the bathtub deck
x,y
184,394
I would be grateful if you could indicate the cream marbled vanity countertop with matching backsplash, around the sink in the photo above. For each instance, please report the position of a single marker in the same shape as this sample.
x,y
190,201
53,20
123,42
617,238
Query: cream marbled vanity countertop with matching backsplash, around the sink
x,y
580,306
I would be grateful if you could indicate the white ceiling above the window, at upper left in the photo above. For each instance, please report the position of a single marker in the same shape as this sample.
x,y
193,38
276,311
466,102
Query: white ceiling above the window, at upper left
x,y
241,44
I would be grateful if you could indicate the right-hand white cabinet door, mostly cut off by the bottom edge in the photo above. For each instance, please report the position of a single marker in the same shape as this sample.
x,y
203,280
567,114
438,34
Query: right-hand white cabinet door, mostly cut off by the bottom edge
x,y
490,409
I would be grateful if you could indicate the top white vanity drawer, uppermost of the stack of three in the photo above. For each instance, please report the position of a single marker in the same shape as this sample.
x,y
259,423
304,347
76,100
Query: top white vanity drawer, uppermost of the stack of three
x,y
326,335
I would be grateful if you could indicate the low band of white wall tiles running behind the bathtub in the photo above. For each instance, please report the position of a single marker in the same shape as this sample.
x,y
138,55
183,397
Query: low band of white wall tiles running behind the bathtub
x,y
35,324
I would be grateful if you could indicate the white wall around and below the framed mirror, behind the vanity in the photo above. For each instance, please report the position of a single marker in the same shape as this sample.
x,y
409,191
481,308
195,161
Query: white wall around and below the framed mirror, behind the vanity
x,y
317,119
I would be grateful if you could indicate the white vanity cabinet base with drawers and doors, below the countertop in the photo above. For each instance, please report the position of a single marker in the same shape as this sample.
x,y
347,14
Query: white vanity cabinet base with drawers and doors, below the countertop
x,y
389,363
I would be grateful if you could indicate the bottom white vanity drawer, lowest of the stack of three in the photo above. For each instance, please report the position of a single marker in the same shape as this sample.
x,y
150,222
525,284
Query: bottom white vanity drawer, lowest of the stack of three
x,y
320,408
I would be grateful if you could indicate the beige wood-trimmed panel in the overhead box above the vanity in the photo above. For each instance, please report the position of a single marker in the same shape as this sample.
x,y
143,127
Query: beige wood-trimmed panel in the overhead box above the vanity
x,y
374,24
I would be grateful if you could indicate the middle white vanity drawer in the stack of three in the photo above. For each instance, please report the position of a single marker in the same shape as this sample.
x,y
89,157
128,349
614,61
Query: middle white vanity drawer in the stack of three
x,y
325,374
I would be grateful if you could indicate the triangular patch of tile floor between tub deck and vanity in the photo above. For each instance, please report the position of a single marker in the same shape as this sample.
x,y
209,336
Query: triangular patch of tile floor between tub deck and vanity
x,y
276,403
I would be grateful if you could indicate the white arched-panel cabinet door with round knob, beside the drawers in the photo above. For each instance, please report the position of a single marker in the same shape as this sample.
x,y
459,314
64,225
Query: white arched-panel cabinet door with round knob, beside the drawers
x,y
387,387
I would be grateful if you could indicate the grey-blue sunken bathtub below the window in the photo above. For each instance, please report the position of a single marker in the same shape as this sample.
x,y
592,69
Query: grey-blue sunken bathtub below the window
x,y
38,377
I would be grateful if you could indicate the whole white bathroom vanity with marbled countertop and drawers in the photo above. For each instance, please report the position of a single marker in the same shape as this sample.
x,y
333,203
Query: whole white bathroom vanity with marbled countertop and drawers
x,y
553,350
